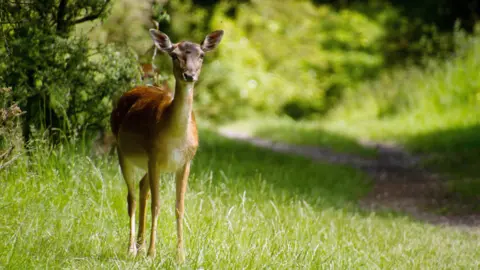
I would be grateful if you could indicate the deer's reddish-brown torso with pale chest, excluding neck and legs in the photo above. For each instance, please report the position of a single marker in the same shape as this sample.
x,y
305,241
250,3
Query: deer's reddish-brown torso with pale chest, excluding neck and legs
x,y
140,123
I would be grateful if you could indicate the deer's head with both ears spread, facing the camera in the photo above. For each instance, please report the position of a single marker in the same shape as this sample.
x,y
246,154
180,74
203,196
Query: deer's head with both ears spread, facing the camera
x,y
187,57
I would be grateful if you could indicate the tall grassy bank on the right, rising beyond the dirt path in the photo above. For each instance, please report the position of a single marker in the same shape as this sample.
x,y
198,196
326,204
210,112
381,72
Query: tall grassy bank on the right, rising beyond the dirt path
x,y
432,110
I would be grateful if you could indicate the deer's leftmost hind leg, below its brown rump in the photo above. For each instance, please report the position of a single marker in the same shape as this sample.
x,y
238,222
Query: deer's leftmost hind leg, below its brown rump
x,y
127,171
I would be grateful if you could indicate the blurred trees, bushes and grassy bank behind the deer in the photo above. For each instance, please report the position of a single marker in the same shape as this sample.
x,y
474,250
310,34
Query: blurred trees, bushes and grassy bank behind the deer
x,y
336,72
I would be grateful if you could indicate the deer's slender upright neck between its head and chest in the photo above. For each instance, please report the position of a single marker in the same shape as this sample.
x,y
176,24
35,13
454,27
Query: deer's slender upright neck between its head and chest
x,y
181,108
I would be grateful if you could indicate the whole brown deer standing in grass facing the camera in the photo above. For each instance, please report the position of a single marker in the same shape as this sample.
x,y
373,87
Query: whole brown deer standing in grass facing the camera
x,y
156,131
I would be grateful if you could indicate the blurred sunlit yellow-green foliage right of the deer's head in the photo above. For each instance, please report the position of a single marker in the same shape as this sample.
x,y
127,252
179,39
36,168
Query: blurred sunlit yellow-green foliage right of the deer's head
x,y
300,59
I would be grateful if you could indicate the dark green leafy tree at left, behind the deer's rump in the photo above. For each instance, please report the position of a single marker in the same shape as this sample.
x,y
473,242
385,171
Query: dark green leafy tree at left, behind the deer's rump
x,y
60,81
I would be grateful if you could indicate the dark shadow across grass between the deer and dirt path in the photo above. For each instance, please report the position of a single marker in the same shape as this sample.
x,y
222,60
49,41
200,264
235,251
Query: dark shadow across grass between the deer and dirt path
x,y
240,166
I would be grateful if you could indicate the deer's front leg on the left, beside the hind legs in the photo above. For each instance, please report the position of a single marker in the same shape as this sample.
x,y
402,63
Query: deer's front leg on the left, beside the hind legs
x,y
153,177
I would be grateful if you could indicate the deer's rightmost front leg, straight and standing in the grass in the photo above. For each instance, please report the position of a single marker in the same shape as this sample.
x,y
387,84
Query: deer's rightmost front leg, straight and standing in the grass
x,y
181,187
